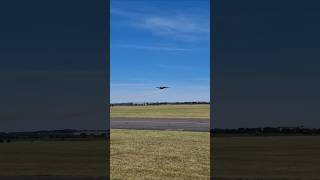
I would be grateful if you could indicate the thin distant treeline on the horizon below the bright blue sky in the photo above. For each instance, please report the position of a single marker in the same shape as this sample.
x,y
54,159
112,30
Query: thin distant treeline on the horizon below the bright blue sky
x,y
157,103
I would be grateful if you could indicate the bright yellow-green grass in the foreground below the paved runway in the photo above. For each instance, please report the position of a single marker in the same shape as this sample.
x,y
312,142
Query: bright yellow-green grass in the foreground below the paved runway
x,y
143,154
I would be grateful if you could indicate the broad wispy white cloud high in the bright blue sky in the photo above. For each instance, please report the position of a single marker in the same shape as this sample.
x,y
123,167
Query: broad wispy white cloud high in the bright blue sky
x,y
180,26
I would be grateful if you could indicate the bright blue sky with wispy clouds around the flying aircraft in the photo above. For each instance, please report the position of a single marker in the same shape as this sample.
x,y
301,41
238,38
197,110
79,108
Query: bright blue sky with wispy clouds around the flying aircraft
x,y
160,43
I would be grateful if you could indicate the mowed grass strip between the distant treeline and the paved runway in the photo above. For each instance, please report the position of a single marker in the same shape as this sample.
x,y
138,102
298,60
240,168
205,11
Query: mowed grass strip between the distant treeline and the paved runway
x,y
201,111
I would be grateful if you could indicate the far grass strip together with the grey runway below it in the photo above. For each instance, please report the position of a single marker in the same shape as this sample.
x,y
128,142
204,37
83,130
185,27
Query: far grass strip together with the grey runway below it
x,y
162,117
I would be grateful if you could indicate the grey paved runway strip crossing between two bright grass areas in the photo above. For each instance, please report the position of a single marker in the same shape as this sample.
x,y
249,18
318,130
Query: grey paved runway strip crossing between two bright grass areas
x,y
161,124
